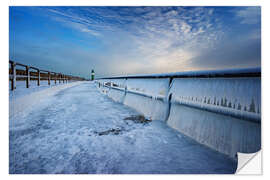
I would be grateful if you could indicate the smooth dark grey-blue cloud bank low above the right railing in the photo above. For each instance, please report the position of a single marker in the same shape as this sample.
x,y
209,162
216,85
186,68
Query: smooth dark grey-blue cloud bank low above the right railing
x,y
230,54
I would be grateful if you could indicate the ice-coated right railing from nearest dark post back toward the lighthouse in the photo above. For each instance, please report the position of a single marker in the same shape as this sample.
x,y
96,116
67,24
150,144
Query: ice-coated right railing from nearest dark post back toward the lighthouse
x,y
147,96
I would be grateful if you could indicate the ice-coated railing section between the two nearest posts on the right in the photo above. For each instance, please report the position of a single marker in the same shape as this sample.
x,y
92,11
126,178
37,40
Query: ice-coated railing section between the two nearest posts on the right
x,y
148,96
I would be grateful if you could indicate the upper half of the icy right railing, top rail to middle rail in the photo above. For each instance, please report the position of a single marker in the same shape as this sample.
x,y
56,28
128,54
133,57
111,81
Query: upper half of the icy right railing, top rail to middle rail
x,y
231,92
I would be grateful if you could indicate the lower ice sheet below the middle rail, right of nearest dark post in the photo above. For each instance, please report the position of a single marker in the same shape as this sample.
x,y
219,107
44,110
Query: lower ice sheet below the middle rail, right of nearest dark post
x,y
222,133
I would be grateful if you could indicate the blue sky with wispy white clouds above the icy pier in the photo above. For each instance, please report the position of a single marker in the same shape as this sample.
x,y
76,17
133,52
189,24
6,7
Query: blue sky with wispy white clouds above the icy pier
x,y
135,40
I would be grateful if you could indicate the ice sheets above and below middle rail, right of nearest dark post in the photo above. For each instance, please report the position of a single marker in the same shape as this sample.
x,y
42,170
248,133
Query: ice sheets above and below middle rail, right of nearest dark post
x,y
222,113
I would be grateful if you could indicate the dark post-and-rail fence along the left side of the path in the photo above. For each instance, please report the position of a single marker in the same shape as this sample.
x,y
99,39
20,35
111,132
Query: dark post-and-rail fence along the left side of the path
x,y
28,74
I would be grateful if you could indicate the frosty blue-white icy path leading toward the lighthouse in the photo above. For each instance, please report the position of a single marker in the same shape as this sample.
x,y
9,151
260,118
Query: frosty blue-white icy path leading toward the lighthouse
x,y
63,134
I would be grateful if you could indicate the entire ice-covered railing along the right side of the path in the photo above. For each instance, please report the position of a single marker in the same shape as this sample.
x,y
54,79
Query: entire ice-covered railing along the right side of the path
x,y
221,109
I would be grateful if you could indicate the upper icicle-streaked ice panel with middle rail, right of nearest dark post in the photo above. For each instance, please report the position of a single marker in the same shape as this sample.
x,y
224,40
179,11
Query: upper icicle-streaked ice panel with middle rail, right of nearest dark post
x,y
233,96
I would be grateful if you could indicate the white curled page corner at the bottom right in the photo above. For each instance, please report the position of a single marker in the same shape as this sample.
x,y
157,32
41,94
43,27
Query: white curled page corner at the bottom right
x,y
249,163
